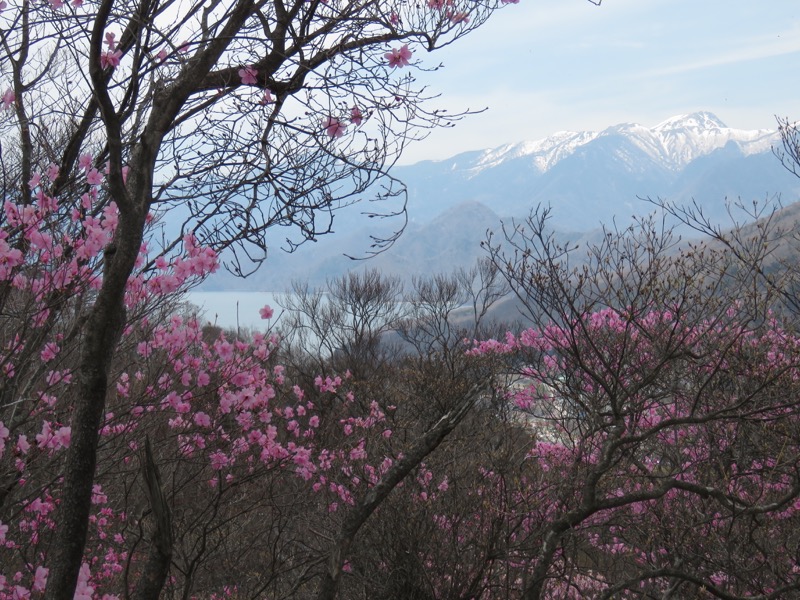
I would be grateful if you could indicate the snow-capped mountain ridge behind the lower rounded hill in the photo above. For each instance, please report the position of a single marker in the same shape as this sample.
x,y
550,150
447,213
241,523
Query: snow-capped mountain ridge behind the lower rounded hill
x,y
592,177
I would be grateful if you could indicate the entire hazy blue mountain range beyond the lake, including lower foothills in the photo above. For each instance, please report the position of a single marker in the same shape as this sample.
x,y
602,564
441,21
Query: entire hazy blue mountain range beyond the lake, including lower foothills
x,y
588,178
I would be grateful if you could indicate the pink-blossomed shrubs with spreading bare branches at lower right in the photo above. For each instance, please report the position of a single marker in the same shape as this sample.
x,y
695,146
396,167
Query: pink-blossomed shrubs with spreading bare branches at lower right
x,y
671,439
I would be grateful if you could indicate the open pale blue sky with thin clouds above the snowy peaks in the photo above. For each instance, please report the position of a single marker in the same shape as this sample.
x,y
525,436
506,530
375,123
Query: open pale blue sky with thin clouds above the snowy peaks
x,y
542,66
